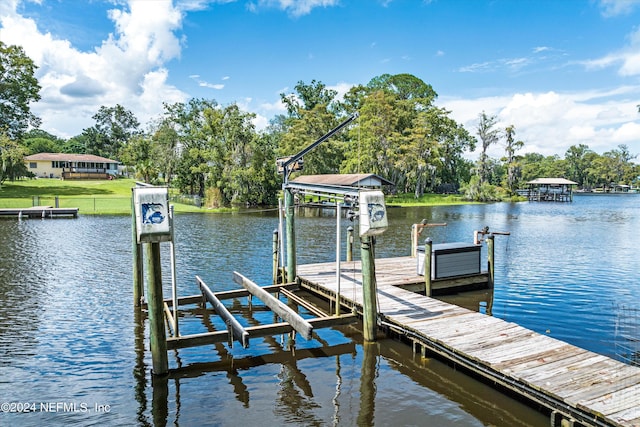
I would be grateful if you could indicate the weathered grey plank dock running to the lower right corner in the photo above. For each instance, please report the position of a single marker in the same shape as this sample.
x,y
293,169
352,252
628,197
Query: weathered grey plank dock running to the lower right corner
x,y
577,386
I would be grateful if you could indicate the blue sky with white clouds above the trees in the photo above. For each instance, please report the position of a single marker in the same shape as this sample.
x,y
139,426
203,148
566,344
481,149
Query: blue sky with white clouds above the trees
x,y
562,72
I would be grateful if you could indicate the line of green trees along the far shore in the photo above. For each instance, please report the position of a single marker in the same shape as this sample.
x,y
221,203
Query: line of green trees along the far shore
x,y
215,151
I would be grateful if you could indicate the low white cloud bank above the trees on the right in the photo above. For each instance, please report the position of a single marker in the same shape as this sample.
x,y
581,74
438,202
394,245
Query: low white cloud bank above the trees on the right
x,y
549,123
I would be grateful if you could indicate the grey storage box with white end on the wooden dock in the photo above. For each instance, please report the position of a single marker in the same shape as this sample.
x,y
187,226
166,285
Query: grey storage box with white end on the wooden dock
x,y
451,260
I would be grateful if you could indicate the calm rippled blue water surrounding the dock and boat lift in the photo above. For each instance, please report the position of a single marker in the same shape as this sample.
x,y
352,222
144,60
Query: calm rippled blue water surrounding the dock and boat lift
x,y
73,350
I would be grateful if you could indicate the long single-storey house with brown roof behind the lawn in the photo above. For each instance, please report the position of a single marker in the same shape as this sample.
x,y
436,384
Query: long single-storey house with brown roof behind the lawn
x,y
71,166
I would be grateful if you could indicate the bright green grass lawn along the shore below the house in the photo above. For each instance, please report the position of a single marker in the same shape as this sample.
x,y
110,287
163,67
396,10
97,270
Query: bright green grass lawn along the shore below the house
x,y
91,197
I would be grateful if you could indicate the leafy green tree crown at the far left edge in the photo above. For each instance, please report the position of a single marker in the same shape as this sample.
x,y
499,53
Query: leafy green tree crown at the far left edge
x,y
18,88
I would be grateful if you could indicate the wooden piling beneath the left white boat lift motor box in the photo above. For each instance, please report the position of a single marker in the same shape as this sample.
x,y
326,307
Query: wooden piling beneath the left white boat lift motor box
x,y
155,303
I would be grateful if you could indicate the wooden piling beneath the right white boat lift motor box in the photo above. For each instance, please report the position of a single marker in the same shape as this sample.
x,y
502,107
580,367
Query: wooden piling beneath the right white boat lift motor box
x,y
369,301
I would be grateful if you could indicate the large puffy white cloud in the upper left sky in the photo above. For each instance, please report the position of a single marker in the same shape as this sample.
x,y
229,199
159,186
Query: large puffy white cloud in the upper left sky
x,y
126,69
